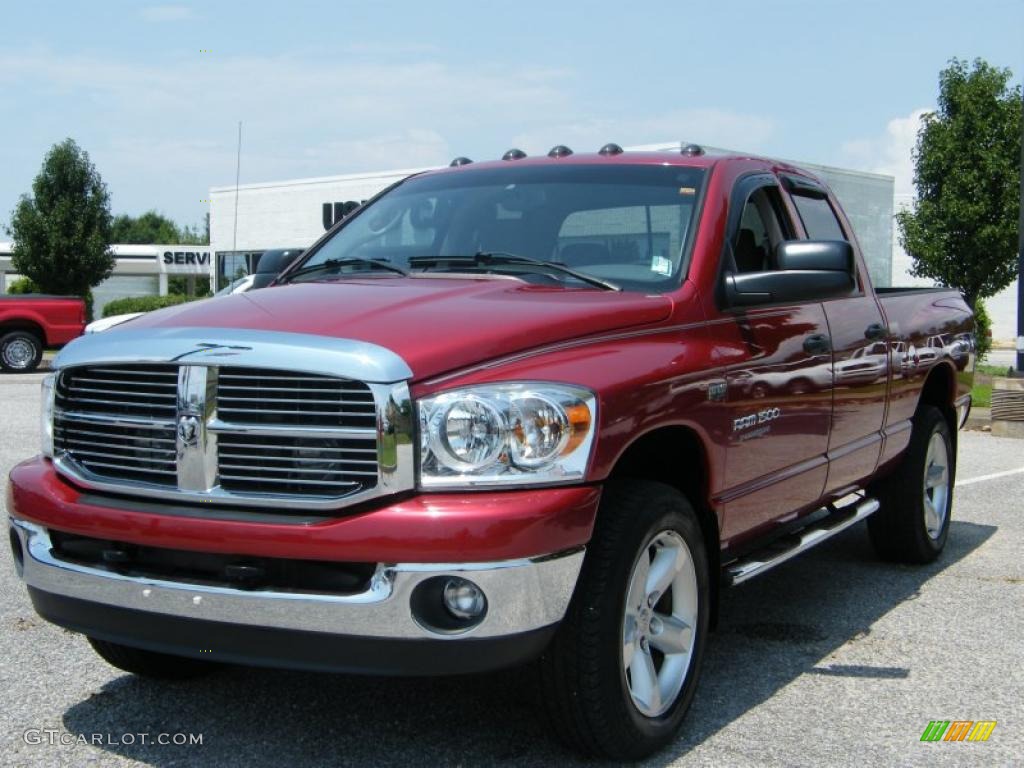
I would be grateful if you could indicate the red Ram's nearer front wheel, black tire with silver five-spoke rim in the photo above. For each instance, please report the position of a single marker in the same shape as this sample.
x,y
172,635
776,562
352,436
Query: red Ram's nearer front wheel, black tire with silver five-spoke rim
x,y
622,671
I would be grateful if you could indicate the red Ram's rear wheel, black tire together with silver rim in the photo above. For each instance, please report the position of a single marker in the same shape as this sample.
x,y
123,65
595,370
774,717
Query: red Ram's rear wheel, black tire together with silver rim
x,y
917,499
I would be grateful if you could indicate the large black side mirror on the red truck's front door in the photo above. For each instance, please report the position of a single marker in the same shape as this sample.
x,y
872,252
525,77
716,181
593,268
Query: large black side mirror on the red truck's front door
x,y
806,271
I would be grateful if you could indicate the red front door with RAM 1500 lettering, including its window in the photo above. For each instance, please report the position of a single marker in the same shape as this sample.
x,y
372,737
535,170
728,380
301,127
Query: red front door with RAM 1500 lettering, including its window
x,y
779,379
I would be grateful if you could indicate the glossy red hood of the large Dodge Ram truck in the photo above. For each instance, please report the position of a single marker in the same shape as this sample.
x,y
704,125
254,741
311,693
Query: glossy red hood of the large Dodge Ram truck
x,y
436,324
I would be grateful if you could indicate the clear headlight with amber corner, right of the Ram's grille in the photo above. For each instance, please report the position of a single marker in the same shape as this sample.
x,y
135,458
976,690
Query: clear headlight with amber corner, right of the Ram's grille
x,y
500,435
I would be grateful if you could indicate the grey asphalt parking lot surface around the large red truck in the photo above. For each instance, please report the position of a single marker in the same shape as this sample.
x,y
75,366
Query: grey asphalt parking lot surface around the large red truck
x,y
834,659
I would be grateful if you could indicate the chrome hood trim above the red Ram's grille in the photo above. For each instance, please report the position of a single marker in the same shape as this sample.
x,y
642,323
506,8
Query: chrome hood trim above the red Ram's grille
x,y
347,359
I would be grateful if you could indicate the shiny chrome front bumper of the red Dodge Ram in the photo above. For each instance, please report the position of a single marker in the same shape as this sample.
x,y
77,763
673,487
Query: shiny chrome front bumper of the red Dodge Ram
x,y
523,595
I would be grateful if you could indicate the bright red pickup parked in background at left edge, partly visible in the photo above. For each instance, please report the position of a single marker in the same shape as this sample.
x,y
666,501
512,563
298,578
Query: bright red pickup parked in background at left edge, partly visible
x,y
29,324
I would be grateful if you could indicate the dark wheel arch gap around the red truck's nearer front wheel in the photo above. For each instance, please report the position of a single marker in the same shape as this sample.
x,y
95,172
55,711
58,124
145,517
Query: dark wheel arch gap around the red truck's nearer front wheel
x,y
658,455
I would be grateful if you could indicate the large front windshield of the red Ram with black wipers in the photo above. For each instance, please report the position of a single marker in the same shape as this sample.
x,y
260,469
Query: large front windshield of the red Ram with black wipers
x,y
625,225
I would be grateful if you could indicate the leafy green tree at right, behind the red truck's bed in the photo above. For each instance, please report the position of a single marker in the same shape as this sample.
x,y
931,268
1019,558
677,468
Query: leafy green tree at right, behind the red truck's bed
x,y
963,230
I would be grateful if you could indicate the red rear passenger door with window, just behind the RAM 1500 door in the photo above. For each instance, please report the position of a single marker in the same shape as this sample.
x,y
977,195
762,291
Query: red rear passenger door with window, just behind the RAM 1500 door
x,y
861,352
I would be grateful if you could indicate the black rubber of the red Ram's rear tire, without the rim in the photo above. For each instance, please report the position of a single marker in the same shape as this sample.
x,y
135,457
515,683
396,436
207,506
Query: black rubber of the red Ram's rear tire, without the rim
x,y
898,531
